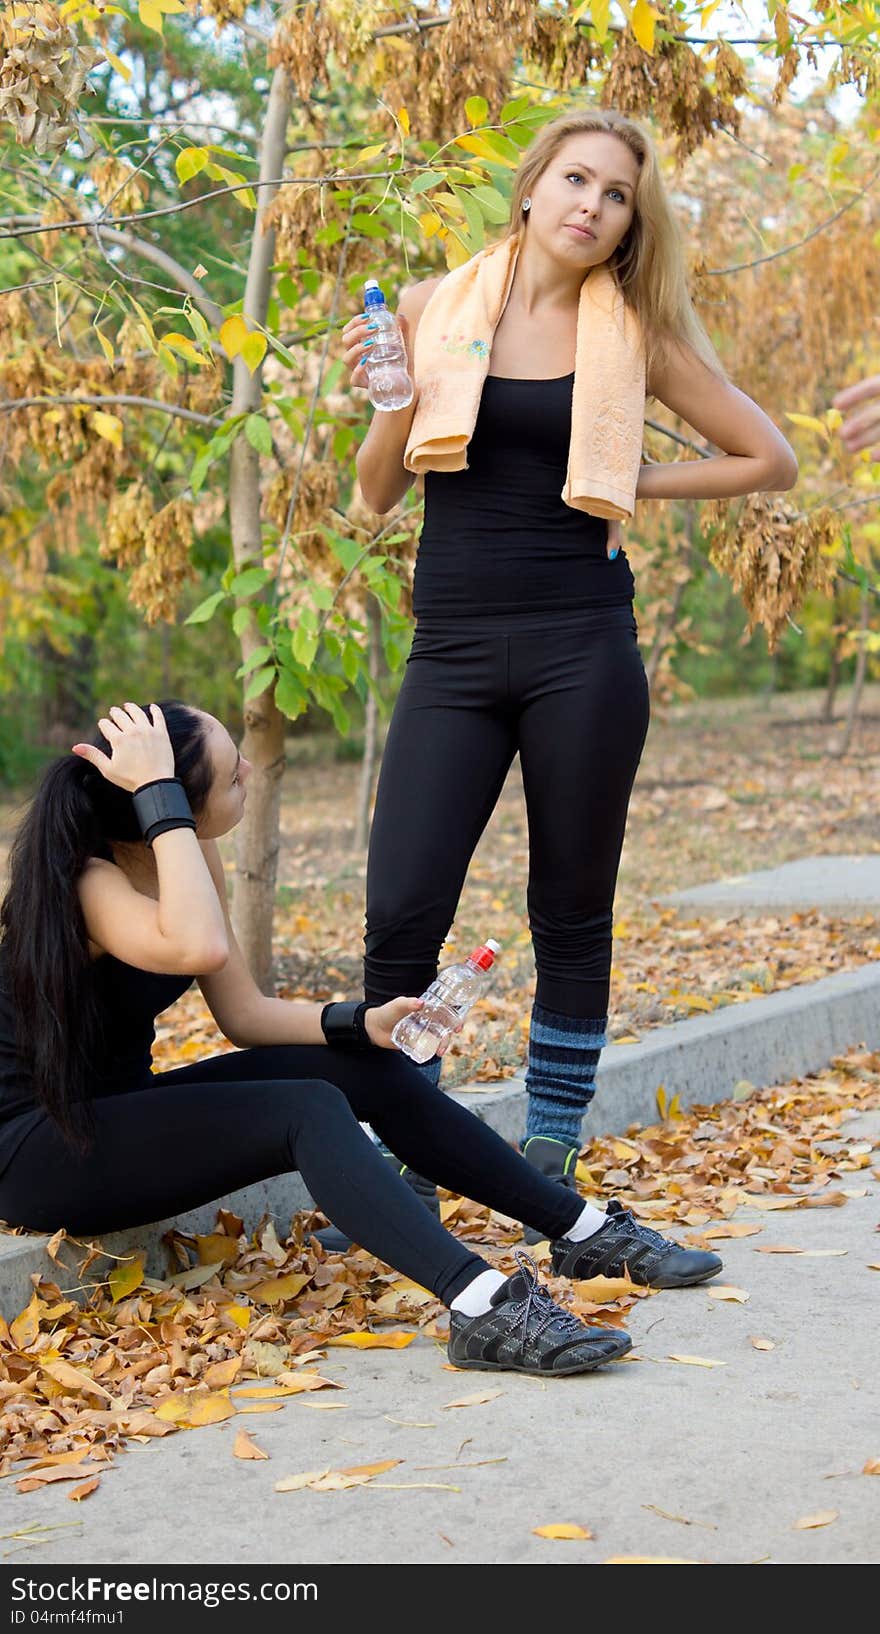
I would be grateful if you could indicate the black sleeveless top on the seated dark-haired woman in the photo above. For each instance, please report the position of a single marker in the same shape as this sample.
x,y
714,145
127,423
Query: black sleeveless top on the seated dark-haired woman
x,y
128,1002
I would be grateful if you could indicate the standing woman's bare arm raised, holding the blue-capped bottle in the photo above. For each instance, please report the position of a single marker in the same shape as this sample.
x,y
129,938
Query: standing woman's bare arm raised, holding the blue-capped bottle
x,y
381,471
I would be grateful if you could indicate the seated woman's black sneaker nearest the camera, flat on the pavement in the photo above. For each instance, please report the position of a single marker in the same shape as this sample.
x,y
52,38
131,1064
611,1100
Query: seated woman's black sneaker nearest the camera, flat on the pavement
x,y
528,1333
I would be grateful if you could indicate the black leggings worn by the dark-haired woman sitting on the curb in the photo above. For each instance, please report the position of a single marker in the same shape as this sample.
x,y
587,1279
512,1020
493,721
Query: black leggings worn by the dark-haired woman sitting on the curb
x,y
190,1136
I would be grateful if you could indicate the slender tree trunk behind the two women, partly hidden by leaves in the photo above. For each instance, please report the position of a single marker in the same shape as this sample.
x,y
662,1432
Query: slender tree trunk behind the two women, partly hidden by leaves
x,y
264,743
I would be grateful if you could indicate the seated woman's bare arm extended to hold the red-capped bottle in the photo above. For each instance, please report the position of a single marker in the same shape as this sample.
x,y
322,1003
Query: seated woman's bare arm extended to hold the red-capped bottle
x,y
249,1019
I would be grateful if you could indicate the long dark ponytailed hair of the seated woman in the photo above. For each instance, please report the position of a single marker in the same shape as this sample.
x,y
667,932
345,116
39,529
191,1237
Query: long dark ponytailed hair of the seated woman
x,y
45,955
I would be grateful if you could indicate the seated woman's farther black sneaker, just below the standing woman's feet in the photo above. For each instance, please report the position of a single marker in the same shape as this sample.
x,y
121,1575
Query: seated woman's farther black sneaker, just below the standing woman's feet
x,y
628,1248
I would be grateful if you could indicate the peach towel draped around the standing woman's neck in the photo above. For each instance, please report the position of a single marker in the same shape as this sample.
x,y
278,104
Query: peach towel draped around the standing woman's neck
x,y
453,350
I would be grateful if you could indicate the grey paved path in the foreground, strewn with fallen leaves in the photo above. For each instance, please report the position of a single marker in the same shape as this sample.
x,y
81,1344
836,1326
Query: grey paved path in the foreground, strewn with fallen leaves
x,y
740,1452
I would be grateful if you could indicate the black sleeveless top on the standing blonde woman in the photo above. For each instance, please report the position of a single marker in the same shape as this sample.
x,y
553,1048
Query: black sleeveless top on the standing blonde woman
x,y
499,538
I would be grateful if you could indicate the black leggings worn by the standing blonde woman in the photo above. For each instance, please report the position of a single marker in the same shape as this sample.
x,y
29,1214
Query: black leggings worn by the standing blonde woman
x,y
571,695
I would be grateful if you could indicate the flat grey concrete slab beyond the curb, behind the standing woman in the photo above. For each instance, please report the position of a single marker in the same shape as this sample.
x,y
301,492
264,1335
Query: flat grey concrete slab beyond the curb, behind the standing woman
x,y
830,885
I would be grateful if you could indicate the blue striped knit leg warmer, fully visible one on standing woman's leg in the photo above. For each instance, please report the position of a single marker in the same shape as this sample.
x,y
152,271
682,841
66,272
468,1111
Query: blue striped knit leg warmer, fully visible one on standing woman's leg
x,y
561,1078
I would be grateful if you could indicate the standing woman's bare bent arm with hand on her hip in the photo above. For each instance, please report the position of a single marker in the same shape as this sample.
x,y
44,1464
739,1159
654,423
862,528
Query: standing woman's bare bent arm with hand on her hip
x,y
757,458
